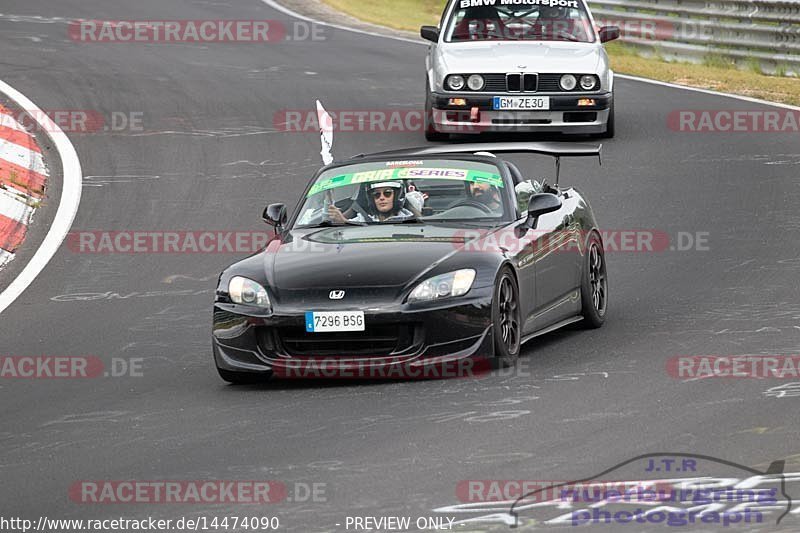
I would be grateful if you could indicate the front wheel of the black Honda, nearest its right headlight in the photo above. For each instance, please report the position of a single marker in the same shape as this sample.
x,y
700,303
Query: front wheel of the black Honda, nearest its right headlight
x,y
507,324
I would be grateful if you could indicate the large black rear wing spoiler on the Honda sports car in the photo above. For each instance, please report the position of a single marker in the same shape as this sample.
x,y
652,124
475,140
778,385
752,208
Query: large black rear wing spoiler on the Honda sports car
x,y
552,149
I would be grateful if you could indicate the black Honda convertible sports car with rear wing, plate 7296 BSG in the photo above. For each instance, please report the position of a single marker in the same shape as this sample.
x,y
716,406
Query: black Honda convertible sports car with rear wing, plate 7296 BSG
x,y
409,259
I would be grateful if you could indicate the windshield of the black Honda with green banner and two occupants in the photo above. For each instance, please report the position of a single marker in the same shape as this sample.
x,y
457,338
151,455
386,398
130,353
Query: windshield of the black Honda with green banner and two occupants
x,y
420,191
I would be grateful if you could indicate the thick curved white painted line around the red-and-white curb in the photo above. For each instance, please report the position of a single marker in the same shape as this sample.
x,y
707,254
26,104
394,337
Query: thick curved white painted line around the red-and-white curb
x,y
67,207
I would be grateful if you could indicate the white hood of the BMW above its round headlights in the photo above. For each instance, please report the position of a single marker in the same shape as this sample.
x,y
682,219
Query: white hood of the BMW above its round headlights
x,y
515,56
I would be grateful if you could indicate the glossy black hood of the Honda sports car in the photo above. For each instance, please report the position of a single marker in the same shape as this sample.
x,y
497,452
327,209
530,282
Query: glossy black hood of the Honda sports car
x,y
373,265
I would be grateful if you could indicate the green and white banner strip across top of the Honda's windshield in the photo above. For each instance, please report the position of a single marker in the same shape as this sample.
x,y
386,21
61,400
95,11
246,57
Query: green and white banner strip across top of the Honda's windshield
x,y
387,174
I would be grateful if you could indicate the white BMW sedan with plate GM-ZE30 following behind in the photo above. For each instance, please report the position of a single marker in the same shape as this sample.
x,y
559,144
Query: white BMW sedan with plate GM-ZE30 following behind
x,y
518,66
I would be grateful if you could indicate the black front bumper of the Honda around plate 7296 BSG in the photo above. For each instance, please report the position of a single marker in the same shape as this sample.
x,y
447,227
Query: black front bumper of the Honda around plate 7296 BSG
x,y
398,337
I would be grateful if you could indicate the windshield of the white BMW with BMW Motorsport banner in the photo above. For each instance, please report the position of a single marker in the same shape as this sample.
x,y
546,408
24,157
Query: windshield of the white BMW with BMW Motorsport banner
x,y
526,20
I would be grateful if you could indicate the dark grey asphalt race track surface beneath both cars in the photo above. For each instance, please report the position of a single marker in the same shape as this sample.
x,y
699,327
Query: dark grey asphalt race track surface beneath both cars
x,y
209,157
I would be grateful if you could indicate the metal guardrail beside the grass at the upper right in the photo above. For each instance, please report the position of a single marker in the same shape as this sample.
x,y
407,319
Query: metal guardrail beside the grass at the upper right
x,y
761,32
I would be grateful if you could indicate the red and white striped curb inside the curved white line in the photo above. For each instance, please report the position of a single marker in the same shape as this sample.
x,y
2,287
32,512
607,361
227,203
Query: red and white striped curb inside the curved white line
x,y
23,177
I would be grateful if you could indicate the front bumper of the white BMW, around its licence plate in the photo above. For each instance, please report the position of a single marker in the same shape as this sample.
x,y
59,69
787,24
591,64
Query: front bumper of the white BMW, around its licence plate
x,y
564,115
